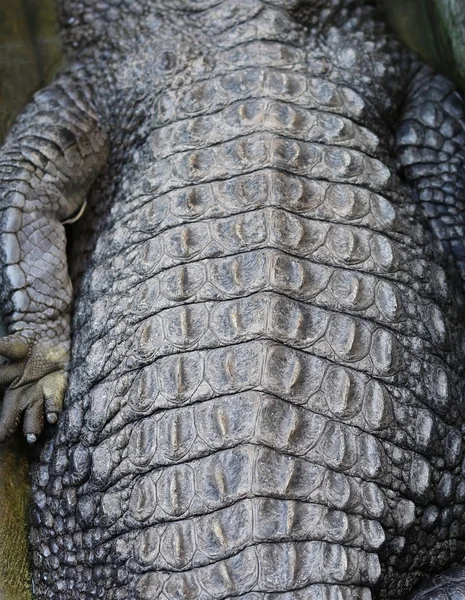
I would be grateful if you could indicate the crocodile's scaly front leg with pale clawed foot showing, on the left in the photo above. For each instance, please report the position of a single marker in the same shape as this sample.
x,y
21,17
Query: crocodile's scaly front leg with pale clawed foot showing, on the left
x,y
47,165
